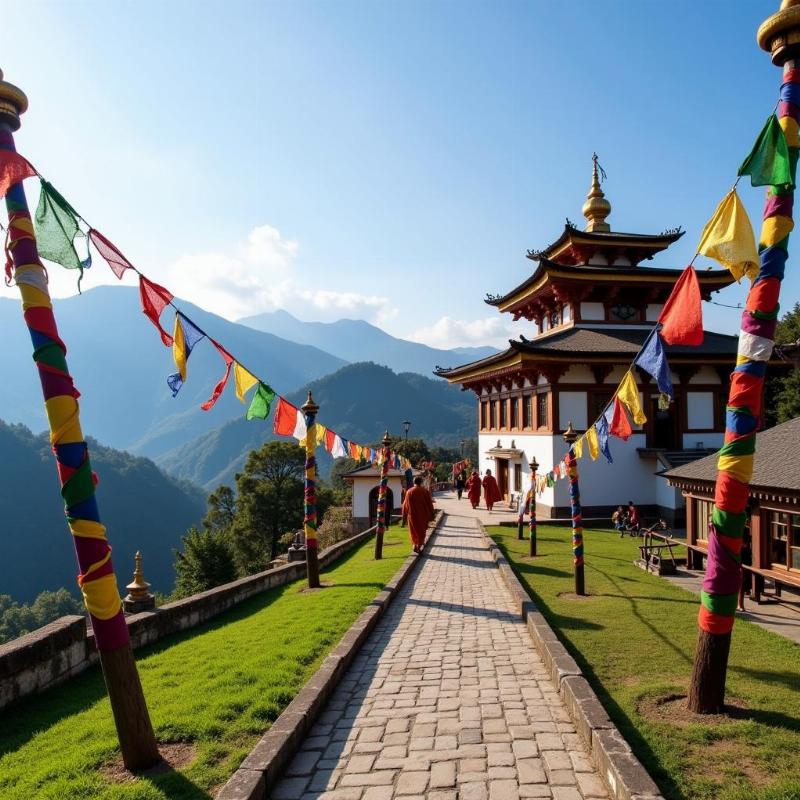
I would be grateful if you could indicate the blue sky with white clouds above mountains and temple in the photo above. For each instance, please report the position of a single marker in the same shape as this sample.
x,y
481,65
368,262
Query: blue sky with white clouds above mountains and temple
x,y
389,161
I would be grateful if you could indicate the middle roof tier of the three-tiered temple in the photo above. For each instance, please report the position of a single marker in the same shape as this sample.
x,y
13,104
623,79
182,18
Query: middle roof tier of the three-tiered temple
x,y
556,281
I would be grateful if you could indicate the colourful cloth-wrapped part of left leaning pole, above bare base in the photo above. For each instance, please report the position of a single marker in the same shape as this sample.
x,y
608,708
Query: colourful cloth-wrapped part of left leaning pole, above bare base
x,y
96,579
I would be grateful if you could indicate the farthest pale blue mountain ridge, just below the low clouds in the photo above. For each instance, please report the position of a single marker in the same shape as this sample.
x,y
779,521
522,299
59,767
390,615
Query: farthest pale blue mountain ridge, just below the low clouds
x,y
356,340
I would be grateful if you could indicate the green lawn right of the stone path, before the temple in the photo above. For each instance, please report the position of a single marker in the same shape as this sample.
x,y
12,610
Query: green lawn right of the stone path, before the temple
x,y
634,639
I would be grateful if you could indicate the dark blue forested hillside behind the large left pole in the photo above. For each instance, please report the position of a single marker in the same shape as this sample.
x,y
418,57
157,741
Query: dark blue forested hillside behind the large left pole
x,y
143,508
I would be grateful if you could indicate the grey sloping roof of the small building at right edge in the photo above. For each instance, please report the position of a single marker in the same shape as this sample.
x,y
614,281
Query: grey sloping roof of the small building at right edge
x,y
776,465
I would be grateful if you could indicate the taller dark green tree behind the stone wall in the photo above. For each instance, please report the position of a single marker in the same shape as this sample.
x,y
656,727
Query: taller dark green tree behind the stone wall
x,y
270,504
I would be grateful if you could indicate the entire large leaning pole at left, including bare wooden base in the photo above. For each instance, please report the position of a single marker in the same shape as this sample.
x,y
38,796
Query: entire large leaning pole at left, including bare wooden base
x,y
97,580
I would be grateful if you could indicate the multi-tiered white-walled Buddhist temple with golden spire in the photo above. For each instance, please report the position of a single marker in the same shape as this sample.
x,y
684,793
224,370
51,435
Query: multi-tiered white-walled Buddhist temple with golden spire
x,y
591,302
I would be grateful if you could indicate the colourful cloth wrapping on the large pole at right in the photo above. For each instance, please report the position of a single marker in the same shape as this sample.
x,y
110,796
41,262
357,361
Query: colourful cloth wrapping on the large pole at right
x,y
756,338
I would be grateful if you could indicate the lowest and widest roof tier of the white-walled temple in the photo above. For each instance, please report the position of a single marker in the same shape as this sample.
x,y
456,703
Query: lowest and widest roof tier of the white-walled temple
x,y
561,349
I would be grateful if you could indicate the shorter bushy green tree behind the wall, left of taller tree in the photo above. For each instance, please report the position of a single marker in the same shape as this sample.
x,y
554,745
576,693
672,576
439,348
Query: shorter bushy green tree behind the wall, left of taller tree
x,y
206,562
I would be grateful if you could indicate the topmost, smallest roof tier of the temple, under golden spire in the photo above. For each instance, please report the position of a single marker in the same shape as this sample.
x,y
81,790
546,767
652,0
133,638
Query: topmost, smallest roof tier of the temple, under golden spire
x,y
573,245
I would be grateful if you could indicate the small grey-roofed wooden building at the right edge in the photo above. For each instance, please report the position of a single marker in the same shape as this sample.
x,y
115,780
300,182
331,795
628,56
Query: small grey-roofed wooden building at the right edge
x,y
774,504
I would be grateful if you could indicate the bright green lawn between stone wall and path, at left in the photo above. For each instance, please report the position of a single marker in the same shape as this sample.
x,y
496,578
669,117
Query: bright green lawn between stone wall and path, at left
x,y
218,687
